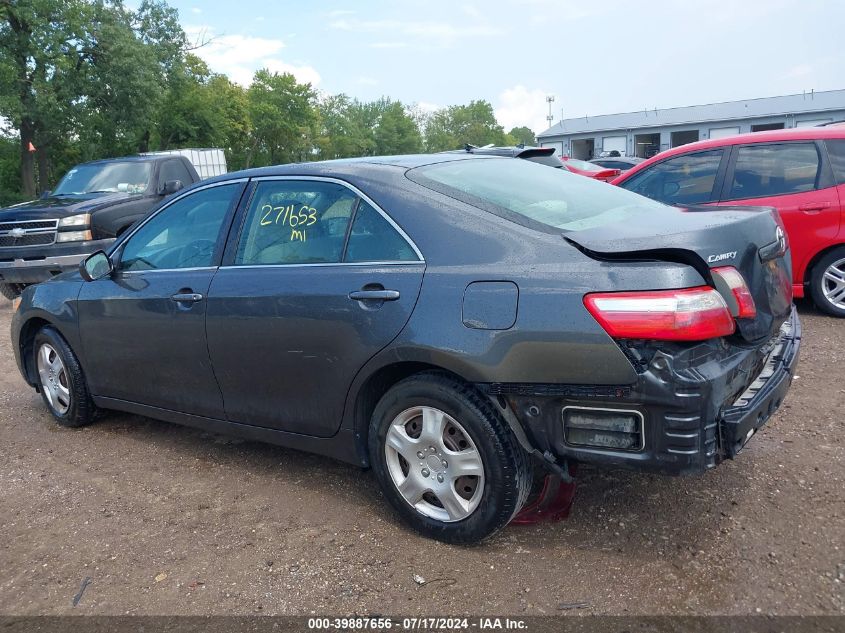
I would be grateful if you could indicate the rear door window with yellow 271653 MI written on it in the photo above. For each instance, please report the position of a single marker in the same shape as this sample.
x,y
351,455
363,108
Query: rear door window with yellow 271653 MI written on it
x,y
296,222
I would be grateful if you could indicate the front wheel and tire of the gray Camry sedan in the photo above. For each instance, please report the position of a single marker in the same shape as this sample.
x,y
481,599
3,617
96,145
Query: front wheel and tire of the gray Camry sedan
x,y
62,383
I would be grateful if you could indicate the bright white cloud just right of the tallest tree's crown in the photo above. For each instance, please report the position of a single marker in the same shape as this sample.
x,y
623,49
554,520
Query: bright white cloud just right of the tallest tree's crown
x,y
239,56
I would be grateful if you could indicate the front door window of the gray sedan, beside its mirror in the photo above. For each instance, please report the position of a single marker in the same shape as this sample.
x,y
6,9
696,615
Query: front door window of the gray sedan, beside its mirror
x,y
184,234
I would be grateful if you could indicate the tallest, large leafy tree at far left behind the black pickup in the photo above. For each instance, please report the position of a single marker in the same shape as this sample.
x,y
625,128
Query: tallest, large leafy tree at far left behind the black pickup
x,y
88,73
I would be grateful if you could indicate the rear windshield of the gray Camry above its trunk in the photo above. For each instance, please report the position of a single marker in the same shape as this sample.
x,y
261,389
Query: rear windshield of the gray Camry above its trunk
x,y
534,195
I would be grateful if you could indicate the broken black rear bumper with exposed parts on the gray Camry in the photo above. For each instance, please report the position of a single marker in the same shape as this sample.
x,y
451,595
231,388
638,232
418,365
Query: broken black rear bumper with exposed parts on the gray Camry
x,y
692,406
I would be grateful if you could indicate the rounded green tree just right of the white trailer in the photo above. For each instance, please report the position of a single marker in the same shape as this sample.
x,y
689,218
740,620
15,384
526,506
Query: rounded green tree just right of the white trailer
x,y
284,119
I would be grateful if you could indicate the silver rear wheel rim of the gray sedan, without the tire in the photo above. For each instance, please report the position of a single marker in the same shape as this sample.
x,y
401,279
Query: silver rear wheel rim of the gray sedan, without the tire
x,y
434,464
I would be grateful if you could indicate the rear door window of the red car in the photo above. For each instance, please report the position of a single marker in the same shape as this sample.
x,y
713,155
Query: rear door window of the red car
x,y
771,170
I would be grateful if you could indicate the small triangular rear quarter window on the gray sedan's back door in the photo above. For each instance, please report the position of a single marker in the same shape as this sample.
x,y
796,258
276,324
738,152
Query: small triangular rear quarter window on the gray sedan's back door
x,y
374,239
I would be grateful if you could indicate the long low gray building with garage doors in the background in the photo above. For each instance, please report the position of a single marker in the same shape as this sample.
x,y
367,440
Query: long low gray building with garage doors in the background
x,y
648,132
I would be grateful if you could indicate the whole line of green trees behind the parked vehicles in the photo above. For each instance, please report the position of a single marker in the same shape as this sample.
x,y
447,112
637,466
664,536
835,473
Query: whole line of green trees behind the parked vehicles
x,y
88,79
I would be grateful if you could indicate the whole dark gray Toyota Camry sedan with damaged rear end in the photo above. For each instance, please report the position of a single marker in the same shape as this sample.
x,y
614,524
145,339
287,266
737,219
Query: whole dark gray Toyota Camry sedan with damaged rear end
x,y
453,322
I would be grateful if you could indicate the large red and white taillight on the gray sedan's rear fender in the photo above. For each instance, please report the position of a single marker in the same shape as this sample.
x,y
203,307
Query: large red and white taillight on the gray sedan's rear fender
x,y
690,314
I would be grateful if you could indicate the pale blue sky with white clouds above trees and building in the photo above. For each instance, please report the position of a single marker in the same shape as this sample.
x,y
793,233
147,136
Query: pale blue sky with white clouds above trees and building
x,y
595,57
